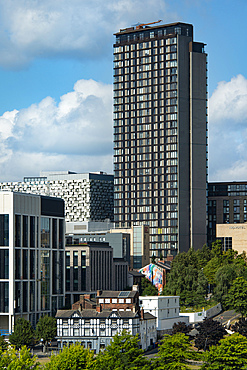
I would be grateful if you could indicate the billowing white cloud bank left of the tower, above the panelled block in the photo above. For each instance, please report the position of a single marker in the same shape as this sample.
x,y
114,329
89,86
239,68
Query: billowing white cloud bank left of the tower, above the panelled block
x,y
74,134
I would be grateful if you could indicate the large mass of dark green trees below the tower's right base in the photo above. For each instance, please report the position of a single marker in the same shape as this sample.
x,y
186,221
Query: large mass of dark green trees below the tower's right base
x,y
192,272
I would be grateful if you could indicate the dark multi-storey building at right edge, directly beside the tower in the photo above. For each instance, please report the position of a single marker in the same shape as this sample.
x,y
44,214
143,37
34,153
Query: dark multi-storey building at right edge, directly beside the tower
x,y
227,204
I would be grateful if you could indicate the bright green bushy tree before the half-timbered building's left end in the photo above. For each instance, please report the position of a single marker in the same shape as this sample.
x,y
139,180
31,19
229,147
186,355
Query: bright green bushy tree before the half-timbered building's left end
x,y
75,357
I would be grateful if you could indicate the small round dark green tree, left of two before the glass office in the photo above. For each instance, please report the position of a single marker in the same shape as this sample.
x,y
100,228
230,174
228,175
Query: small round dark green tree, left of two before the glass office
x,y
23,333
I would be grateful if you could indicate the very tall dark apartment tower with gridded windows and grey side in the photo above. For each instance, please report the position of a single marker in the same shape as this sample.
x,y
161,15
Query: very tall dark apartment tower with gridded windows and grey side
x,y
160,135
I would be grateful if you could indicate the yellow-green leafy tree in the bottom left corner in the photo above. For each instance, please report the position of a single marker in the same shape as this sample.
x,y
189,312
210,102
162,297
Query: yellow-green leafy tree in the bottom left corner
x,y
18,360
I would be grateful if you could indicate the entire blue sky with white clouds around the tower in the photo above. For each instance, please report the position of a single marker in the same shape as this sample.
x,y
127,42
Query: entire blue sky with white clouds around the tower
x,y
56,81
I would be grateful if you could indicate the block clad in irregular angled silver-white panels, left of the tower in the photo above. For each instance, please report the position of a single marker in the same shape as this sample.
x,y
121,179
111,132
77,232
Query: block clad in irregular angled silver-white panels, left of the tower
x,y
87,196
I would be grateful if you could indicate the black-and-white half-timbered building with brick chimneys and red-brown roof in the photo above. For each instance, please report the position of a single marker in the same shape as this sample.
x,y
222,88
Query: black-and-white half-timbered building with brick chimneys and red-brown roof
x,y
94,321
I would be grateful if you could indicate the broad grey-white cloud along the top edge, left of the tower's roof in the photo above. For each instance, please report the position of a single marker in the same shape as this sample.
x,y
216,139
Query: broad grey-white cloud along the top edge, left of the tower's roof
x,y
75,28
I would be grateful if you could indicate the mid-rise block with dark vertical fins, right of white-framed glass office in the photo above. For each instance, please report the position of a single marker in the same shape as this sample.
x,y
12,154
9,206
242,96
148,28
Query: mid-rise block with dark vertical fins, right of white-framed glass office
x,y
90,266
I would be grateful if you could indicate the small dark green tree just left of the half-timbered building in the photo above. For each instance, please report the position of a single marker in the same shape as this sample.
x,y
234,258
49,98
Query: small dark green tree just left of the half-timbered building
x,y
46,329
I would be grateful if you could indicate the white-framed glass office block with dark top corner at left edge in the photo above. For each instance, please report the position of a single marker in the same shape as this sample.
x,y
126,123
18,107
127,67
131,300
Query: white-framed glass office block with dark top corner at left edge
x,y
31,257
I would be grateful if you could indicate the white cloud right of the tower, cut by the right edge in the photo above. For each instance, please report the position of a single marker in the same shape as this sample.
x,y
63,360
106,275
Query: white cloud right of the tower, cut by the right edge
x,y
228,131
